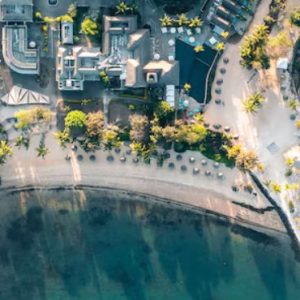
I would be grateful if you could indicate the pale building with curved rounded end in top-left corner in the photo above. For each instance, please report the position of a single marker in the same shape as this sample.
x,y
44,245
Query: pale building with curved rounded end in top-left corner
x,y
17,53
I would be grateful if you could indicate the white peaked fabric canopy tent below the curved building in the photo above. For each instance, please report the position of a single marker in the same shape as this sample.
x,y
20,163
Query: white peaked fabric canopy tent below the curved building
x,y
21,96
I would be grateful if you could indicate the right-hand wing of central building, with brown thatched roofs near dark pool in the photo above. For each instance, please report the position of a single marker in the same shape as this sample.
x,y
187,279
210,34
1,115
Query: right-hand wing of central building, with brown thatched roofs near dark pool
x,y
129,55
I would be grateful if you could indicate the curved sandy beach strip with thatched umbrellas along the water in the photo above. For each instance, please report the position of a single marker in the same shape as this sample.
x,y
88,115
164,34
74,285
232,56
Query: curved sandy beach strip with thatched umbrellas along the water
x,y
206,193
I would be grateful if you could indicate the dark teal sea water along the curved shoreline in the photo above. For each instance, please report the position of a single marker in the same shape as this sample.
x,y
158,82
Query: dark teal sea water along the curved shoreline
x,y
90,245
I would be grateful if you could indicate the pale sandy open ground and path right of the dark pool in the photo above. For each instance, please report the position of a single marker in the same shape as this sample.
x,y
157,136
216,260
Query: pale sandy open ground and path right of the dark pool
x,y
270,132
